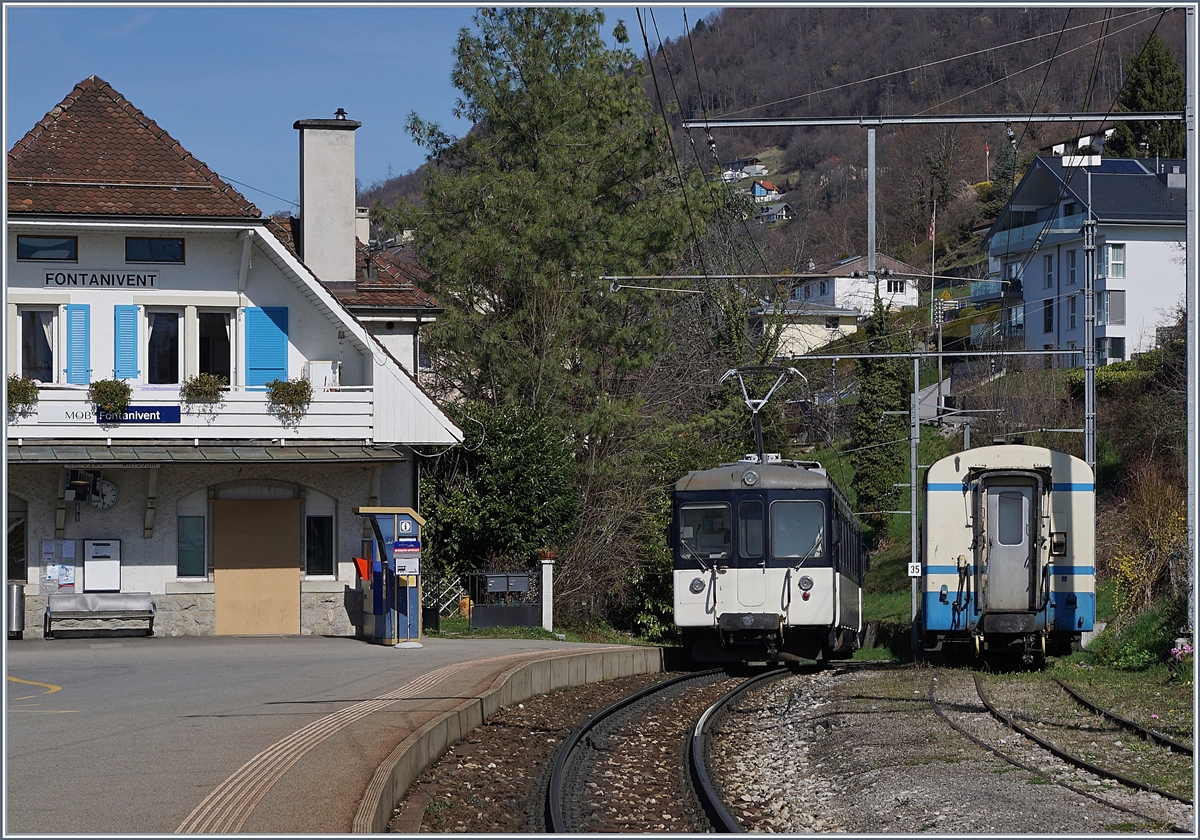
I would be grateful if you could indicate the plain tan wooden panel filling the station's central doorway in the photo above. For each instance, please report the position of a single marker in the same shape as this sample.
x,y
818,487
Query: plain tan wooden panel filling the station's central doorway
x,y
256,567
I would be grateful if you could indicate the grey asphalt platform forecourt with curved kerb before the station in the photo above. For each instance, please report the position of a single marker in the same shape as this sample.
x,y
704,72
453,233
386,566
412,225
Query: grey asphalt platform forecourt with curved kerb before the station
x,y
256,735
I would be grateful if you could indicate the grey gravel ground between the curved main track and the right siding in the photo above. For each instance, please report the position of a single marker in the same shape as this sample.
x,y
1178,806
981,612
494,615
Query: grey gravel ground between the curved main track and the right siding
x,y
861,751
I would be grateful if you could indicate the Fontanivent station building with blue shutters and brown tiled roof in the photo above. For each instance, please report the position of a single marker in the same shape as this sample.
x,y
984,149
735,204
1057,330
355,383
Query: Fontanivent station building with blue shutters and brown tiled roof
x,y
130,260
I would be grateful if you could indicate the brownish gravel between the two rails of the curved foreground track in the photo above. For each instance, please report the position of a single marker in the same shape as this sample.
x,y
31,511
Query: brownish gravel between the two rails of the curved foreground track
x,y
632,776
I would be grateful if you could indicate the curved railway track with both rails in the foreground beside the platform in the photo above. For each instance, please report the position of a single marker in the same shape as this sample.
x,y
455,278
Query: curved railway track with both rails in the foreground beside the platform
x,y
601,778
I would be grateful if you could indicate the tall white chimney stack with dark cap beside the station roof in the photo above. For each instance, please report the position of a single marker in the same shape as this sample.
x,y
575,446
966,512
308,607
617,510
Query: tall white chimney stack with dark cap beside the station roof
x,y
328,206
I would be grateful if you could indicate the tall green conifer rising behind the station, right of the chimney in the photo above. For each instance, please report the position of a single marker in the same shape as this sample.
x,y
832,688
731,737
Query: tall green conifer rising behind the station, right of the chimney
x,y
566,178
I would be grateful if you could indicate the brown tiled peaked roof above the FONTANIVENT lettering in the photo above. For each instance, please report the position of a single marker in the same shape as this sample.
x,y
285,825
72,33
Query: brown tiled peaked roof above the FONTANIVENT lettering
x,y
97,154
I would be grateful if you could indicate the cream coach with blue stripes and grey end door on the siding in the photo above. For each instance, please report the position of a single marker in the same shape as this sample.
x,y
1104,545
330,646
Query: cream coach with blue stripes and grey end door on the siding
x,y
1010,551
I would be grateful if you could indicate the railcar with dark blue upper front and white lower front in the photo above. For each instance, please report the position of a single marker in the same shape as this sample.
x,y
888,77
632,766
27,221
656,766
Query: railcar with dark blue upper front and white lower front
x,y
769,563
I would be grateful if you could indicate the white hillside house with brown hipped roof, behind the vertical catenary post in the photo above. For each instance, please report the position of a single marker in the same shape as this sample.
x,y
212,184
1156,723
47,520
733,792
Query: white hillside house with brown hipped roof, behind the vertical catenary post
x,y
845,285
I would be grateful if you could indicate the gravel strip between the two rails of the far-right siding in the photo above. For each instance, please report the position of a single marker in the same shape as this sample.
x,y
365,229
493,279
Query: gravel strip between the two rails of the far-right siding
x,y
1046,710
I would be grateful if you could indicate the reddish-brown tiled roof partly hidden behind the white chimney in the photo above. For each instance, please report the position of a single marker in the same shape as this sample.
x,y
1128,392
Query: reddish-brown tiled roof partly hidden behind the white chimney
x,y
385,278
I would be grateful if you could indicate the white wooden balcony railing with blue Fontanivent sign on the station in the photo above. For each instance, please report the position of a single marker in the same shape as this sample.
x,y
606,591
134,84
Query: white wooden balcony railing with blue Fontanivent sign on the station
x,y
158,412
